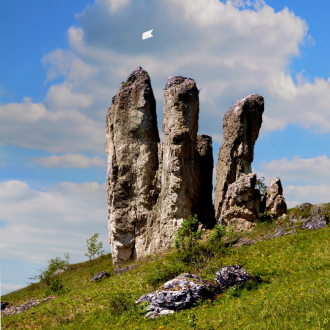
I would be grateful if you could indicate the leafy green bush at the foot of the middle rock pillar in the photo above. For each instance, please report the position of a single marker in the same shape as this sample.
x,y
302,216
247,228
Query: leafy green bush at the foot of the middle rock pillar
x,y
188,234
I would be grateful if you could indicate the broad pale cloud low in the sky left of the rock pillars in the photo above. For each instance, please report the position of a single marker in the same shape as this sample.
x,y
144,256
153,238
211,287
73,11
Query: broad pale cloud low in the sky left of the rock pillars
x,y
59,219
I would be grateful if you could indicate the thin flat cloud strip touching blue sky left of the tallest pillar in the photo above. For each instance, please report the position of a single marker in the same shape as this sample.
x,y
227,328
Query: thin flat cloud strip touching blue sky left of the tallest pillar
x,y
69,160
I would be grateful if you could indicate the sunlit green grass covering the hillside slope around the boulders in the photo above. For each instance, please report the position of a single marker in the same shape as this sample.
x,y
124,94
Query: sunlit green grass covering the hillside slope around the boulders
x,y
286,271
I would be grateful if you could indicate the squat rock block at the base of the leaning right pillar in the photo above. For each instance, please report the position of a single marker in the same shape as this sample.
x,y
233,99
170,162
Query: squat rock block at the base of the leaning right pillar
x,y
241,204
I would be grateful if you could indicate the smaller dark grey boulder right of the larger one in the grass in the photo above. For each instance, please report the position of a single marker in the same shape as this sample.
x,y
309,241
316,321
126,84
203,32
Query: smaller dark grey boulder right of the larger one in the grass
x,y
231,275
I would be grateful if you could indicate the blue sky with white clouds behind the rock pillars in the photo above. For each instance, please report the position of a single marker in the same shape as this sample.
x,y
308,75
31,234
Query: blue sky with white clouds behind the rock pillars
x,y
61,62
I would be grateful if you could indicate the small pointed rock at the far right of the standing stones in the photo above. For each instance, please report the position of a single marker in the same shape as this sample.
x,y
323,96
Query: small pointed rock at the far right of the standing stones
x,y
275,202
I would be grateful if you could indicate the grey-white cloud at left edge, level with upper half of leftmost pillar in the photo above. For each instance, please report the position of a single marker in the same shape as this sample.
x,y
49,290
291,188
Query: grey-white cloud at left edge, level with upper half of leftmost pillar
x,y
31,125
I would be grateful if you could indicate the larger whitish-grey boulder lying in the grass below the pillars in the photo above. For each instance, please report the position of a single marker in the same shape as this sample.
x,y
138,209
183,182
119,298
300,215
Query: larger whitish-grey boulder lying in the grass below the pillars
x,y
177,294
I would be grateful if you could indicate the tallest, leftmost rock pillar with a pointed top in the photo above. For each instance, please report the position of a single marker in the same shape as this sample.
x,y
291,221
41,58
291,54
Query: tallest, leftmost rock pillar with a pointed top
x,y
131,148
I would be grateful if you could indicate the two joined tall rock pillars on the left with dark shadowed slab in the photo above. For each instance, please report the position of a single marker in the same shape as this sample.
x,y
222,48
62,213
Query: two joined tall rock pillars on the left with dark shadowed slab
x,y
153,186
